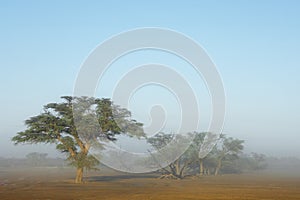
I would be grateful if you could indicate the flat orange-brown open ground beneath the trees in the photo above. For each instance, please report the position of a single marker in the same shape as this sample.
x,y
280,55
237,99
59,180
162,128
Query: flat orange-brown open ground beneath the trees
x,y
53,183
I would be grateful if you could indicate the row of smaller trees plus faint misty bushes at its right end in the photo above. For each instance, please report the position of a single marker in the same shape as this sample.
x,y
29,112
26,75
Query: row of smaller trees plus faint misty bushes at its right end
x,y
224,155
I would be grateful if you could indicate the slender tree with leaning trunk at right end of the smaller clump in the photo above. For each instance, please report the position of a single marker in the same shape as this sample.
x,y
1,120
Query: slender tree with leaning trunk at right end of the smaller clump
x,y
230,148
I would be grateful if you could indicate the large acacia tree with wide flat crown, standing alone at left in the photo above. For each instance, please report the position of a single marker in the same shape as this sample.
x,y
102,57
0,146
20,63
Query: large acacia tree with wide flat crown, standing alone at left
x,y
75,124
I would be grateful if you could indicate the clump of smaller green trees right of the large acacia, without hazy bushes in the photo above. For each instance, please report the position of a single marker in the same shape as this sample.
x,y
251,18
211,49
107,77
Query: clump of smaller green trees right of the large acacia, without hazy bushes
x,y
222,156
